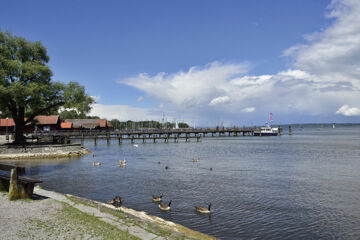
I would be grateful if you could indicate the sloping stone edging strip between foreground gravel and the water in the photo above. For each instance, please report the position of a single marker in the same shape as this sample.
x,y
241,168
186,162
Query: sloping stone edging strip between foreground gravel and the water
x,y
136,223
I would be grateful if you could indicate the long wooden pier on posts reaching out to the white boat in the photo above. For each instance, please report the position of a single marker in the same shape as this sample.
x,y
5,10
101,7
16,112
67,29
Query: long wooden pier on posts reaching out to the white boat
x,y
148,135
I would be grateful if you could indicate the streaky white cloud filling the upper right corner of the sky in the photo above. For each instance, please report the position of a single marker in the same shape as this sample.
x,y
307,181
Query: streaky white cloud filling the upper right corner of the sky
x,y
333,54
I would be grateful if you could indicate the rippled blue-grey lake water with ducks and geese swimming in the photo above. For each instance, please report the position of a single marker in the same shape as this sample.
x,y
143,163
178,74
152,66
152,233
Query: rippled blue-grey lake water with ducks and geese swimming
x,y
300,186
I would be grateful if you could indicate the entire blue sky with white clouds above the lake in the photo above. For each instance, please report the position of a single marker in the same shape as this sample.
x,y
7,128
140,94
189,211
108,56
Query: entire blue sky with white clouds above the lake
x,y
202,61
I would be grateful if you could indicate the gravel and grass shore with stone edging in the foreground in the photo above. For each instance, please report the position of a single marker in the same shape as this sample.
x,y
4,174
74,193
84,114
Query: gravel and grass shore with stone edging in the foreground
x,y
58,216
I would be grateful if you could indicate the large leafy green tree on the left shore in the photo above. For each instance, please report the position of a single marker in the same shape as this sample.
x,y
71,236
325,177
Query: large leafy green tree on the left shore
x,y
26,88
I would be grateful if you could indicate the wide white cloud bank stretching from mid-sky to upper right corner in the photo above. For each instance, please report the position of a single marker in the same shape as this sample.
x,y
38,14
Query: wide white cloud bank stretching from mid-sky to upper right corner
x,y
325,74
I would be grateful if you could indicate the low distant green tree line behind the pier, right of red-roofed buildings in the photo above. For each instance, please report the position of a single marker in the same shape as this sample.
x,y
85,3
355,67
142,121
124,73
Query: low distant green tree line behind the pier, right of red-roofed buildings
x,y
145,124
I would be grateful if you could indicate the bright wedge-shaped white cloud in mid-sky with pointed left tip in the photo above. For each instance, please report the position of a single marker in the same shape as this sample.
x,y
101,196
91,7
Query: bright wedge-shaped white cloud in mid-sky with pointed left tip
x,y
187,89
